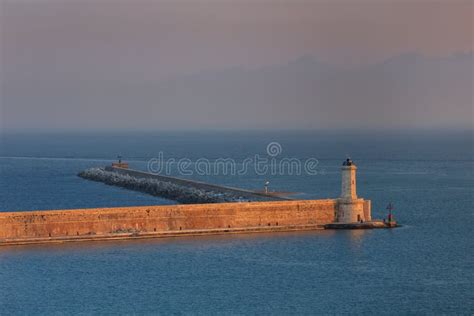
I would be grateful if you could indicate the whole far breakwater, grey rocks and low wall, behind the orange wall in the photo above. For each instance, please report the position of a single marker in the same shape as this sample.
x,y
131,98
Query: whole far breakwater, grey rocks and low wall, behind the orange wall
x,y
180,190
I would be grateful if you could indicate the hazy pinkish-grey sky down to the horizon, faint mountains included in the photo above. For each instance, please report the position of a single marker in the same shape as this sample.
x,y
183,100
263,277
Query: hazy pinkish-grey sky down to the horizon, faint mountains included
x,y
77,64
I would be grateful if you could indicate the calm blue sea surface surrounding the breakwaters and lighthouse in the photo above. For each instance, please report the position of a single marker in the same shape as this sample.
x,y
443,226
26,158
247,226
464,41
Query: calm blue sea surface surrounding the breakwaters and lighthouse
x,y
425,267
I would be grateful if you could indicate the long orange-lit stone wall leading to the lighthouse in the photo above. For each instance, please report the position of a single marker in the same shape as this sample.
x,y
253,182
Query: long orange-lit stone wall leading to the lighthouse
x,y
156,221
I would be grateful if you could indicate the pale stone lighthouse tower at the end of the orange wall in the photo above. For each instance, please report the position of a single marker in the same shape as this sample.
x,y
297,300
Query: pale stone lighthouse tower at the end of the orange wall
x,y
350,208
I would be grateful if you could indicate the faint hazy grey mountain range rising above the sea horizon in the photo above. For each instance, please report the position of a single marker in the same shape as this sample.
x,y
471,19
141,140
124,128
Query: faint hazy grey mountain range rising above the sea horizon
x,y
408,90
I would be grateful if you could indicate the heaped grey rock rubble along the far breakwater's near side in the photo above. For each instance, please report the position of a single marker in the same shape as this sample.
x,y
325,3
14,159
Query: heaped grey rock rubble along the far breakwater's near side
x,y
168,190
